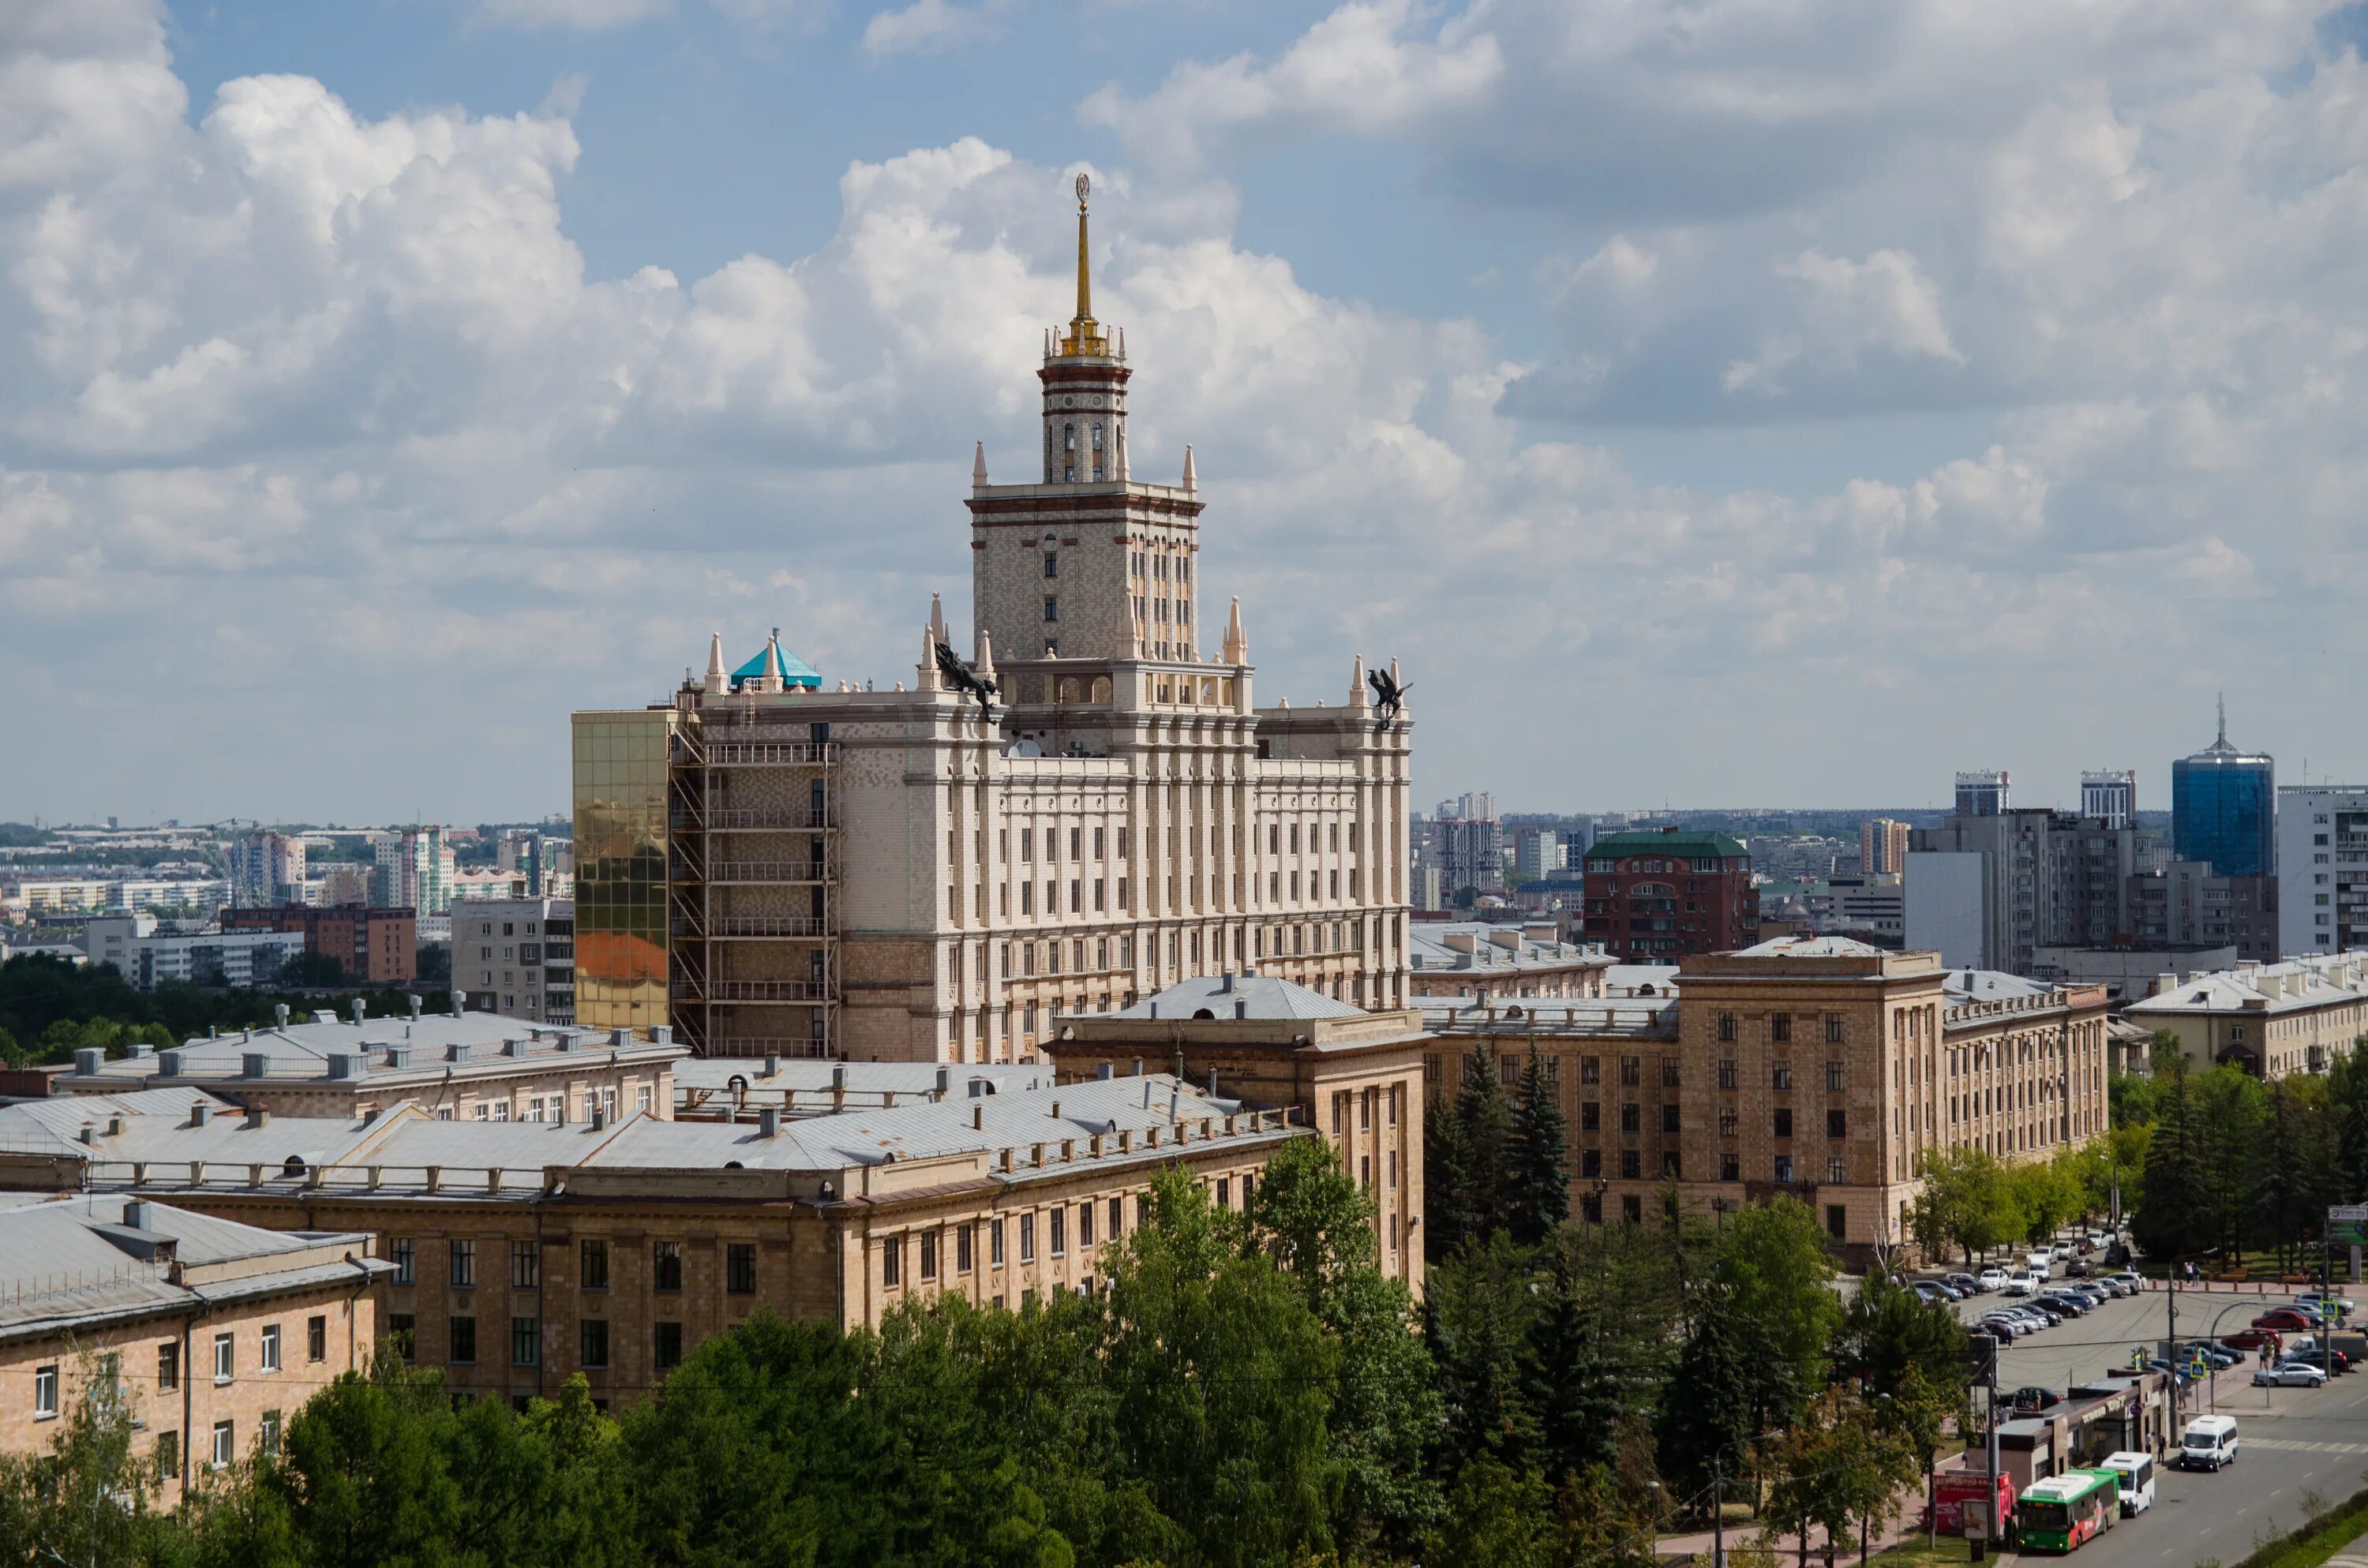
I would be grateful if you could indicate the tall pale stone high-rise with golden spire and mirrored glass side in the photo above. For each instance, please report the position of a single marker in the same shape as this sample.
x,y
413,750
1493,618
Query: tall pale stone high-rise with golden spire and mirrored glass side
x,y
918,875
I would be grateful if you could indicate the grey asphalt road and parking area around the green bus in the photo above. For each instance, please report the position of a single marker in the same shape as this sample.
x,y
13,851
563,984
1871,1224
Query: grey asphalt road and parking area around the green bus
x,y
2293,1439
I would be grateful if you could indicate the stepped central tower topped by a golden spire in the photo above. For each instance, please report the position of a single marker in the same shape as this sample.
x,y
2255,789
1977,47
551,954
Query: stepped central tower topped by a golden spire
x,y
1086,565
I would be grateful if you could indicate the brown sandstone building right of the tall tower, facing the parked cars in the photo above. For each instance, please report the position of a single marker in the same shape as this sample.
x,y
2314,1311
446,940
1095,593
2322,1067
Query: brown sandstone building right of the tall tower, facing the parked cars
x,y
1813,1067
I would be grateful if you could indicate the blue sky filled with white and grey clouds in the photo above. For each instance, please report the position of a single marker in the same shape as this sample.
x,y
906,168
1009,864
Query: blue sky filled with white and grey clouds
x,y
1709,401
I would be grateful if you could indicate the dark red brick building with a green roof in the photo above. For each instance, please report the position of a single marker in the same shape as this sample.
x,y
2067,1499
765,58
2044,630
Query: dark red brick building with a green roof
x,y
1666,894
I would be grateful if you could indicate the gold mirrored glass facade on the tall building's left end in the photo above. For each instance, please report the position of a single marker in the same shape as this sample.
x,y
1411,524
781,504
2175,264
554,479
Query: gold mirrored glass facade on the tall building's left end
x,y
622,868
